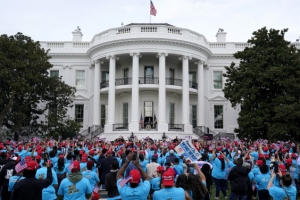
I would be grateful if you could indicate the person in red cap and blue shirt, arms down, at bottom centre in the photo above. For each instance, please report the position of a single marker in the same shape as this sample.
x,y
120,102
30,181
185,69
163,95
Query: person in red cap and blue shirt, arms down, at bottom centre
x,y
169,191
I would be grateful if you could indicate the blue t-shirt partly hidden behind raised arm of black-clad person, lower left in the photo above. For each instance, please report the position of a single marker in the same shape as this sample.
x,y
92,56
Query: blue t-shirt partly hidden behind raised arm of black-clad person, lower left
x,y
49,192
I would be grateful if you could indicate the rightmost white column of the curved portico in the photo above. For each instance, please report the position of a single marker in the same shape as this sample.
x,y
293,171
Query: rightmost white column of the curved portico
x,y
200,107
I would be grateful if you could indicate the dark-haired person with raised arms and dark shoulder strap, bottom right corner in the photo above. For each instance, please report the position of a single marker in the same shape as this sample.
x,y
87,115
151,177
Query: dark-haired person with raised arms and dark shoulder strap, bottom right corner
x,y
286,191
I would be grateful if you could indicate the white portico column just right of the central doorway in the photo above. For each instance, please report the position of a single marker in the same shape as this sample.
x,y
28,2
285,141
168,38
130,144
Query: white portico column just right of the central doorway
x,y
162,124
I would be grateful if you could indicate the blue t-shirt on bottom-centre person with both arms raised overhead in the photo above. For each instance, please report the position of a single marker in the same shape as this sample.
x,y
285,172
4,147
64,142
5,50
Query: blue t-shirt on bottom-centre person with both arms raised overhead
x,y
139,193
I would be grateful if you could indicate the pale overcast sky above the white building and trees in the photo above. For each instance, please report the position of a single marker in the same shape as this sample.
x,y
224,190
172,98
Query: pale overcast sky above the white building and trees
x,y
54,20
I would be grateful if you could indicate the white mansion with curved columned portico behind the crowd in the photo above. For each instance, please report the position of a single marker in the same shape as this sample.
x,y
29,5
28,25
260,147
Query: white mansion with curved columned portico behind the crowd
x,y
147,79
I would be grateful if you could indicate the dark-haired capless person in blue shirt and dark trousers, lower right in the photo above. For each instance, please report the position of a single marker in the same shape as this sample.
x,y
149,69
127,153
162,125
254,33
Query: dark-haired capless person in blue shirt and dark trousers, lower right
x,y
261,182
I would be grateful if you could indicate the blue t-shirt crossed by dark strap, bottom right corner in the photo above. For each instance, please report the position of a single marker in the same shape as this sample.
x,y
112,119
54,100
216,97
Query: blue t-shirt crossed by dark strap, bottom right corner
x,y
278,193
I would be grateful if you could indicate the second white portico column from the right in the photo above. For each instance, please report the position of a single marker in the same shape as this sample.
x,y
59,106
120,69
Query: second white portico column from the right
x,y
185,94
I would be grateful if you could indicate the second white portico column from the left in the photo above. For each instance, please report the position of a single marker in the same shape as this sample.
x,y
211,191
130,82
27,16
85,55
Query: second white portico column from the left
x,y
111,93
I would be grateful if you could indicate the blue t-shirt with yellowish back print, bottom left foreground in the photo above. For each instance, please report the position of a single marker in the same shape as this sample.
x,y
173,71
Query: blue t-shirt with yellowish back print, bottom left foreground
x,y
74,191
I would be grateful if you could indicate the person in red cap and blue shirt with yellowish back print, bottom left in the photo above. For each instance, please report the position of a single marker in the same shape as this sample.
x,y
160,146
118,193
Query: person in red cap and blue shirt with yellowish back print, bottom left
x,y
75,186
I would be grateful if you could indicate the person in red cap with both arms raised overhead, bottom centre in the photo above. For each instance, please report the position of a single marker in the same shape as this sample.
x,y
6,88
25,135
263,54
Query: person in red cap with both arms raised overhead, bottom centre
x,y
135,189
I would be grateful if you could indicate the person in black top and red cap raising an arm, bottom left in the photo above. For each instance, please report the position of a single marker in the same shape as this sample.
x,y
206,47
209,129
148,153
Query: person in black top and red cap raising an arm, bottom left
x,y
30,187
